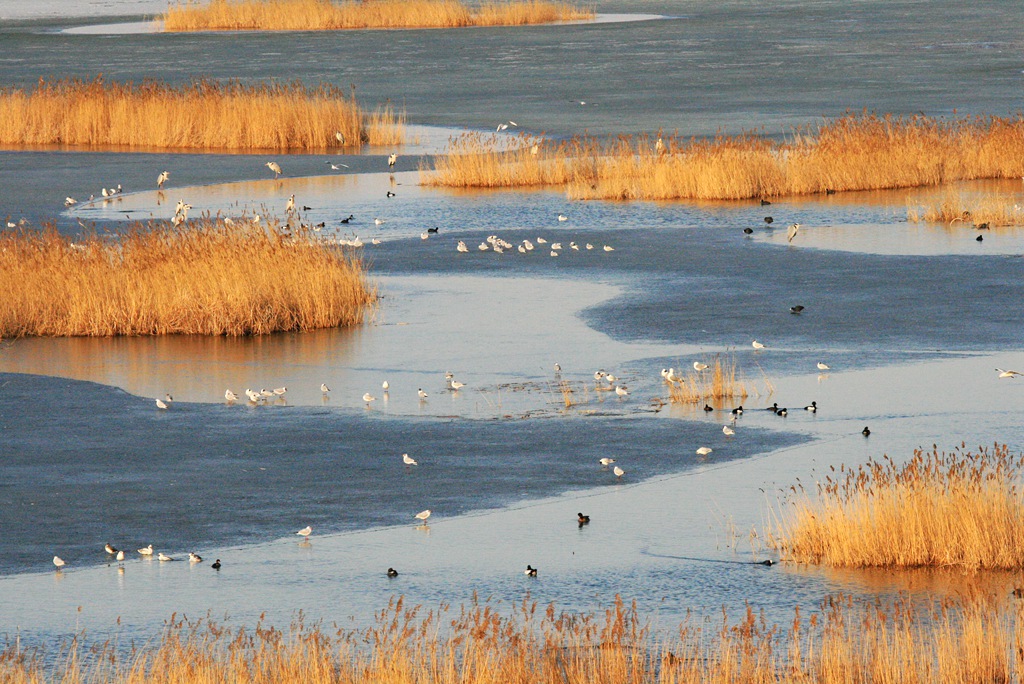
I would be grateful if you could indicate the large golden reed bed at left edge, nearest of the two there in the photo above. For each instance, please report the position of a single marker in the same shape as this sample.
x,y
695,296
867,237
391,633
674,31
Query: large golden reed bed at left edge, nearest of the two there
x,y
204,278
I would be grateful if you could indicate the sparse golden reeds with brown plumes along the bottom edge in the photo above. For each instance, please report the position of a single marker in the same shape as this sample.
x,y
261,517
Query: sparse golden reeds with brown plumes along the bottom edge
x,y
974,639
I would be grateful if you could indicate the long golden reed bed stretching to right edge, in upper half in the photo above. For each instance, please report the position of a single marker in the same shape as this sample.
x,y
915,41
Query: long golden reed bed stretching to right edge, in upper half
x,y
854,153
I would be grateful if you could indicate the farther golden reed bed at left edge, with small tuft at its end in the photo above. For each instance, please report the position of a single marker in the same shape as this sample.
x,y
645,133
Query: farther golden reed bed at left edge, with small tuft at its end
x,y
203,115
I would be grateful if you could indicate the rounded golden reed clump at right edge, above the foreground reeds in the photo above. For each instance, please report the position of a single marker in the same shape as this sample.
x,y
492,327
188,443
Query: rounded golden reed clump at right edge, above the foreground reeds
x,y
960,509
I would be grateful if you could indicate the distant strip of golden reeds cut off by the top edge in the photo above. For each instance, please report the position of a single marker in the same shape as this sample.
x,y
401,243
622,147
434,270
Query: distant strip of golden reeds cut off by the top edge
x,y
329,16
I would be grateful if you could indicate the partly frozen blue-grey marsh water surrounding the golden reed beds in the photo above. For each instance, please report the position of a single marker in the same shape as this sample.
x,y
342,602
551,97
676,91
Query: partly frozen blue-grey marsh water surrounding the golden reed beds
x,y
912,319
